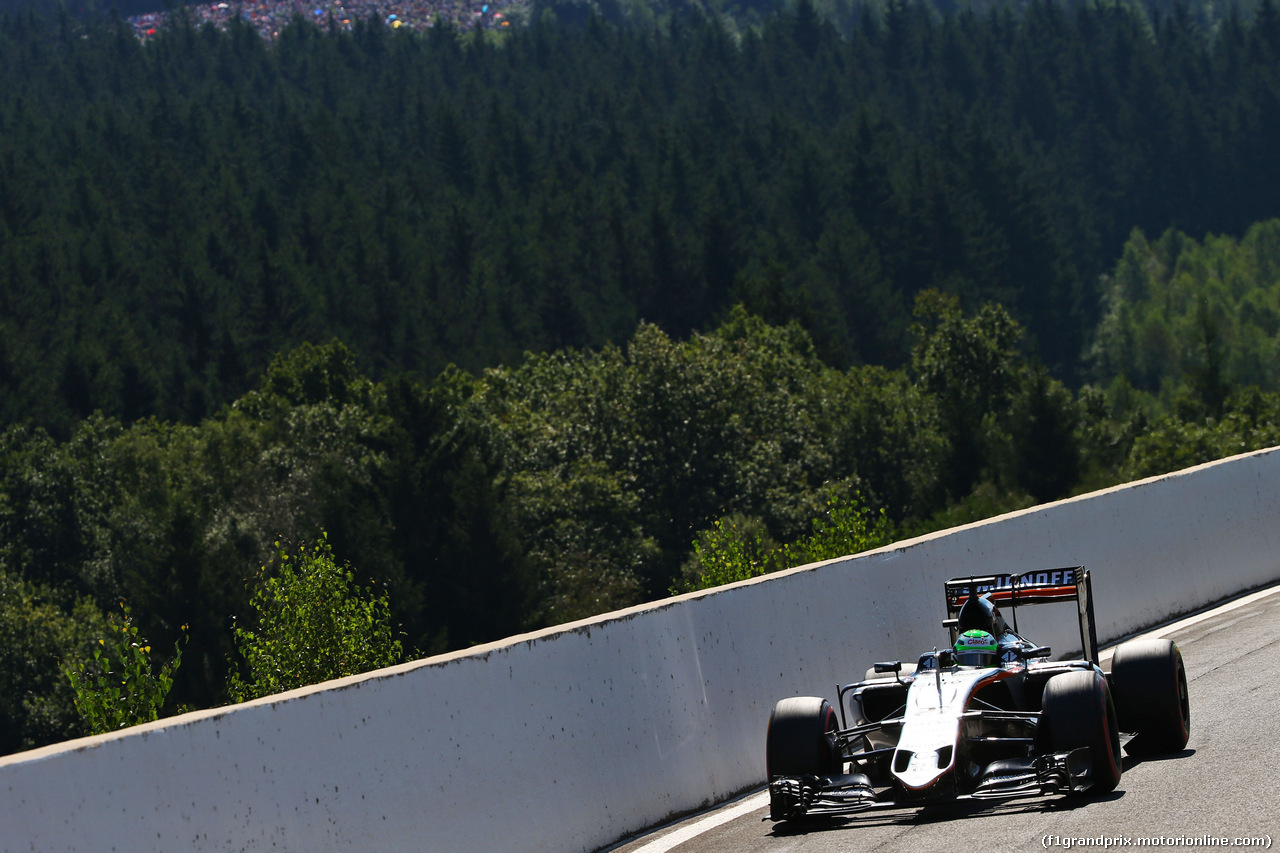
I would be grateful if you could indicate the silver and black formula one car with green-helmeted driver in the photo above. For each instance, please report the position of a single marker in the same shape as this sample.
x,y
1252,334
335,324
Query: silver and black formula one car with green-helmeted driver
x,y
989,718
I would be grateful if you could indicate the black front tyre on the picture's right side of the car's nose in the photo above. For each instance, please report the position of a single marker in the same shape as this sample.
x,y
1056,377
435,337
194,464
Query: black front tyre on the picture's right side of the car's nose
x,y
1078,713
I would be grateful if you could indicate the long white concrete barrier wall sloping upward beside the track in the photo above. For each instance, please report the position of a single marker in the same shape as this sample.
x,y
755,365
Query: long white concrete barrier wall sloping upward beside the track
x,y
570,740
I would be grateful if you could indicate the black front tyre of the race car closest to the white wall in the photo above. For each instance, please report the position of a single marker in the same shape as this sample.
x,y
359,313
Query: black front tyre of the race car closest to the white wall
x,y
801,742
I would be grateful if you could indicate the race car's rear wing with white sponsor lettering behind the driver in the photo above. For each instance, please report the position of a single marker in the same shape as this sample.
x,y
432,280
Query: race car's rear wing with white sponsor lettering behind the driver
x,y
1032,589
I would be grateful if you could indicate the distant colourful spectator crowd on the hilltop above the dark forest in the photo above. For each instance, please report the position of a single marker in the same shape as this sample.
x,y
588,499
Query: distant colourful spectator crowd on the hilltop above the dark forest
x,y
269,17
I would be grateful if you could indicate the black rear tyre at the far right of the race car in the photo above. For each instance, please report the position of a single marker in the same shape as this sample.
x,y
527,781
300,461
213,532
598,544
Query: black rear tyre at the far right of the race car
x,y
1149,683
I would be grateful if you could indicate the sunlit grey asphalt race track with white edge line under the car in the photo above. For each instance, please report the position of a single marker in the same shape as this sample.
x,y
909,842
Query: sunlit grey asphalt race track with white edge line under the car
x,y
1224,786
